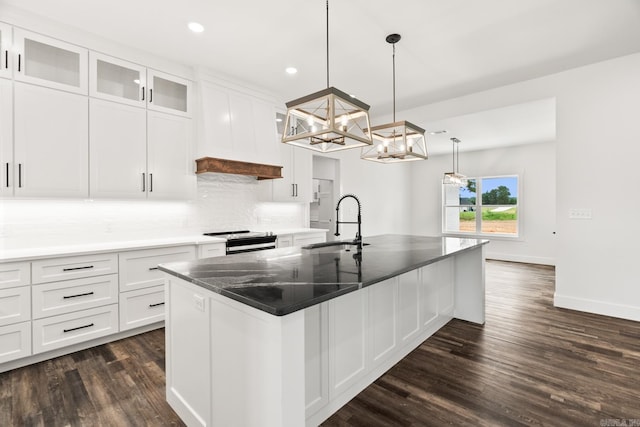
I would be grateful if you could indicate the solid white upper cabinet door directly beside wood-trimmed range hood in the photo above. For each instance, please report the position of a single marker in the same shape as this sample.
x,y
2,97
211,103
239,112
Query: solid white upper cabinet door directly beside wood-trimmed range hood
x,y
170,162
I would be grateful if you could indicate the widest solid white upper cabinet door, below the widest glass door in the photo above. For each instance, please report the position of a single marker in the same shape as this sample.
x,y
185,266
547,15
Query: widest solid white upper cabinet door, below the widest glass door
x,y
51,154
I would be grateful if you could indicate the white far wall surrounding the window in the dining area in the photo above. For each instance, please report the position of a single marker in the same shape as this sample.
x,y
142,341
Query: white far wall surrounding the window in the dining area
x,y
534,163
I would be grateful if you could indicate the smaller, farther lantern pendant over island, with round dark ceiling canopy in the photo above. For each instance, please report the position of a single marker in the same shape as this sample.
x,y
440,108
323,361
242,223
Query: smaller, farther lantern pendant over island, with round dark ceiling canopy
x,y
396,141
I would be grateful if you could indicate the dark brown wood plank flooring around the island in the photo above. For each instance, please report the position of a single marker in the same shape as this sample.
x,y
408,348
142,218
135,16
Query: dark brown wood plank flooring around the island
x,y
530,364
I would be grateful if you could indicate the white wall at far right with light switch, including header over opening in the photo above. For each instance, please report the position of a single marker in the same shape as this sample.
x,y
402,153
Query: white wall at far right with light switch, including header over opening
x,y
597,147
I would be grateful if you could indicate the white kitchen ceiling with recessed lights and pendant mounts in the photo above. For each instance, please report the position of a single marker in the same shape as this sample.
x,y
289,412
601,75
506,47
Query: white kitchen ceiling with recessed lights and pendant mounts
x,y
449,47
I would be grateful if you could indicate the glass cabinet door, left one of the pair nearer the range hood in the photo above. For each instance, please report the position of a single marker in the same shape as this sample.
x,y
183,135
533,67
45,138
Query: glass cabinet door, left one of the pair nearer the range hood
x,y
117,80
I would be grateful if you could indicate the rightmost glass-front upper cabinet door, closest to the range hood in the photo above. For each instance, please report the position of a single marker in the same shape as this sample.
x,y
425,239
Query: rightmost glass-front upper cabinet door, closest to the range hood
x,y
168,93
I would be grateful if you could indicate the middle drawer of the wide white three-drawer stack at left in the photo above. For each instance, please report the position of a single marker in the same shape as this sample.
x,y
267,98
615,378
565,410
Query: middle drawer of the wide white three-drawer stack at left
x,y
51,299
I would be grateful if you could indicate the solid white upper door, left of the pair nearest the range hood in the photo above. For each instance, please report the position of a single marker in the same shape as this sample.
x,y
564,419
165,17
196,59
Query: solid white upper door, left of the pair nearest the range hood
x,y
118,142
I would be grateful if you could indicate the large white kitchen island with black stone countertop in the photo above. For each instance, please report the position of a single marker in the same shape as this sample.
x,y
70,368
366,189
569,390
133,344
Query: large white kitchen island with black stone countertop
x,y
285,337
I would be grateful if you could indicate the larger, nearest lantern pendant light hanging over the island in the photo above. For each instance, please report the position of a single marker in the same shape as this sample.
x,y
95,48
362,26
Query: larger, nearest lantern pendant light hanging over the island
x,y
328,120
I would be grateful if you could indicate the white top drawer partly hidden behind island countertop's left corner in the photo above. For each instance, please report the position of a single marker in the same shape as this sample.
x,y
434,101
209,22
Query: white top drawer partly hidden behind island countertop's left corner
x,y
139,269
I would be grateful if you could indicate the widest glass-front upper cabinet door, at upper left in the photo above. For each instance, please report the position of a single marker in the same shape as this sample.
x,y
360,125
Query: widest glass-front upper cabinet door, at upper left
x,y
49,62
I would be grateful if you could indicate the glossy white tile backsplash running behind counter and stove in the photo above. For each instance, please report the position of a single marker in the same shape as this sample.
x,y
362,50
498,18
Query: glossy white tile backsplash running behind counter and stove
x,y
223,202
